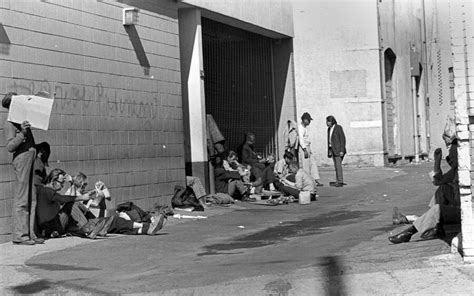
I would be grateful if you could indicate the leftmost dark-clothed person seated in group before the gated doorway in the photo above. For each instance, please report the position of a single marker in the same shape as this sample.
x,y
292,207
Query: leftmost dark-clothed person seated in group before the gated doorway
x,y
229,182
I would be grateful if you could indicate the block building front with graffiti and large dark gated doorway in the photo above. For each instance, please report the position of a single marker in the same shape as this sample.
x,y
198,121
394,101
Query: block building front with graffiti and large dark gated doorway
x,y
130,100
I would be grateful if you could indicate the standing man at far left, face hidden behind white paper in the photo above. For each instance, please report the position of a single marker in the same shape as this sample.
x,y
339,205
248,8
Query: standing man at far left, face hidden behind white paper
x,y
20,142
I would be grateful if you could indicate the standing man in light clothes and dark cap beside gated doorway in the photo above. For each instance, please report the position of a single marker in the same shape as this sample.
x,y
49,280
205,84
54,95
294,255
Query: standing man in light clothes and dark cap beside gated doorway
x,y
306,157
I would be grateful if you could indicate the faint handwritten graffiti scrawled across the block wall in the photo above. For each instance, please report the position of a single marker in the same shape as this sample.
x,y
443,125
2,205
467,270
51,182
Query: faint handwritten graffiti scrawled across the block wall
x,y
77,97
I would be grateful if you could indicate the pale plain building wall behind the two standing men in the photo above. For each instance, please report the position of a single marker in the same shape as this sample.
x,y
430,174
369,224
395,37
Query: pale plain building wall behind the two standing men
x,y
337,73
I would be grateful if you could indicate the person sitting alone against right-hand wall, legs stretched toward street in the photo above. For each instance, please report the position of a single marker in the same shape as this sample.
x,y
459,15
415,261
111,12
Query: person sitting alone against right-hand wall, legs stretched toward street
x,y
444,206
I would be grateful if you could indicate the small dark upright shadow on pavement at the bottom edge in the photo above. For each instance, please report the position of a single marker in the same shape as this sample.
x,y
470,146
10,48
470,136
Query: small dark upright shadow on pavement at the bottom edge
x,y
333,269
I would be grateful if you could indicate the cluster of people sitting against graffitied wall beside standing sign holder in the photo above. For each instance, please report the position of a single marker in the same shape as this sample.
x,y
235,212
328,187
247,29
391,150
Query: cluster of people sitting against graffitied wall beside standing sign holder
x,y
59,213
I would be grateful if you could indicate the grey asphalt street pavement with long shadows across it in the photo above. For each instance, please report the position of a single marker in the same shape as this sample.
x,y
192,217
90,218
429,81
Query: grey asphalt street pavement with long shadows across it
x,y
337,245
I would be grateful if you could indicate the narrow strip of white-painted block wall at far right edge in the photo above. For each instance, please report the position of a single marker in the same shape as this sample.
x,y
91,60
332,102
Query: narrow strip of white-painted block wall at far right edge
x,y
462,47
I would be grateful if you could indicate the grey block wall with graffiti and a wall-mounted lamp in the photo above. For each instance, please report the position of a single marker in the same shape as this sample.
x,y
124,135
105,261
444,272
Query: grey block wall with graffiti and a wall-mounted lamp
x,y
112,119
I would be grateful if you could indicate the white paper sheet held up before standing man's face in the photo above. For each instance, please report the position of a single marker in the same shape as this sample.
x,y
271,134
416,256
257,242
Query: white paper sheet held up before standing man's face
x,y
36,110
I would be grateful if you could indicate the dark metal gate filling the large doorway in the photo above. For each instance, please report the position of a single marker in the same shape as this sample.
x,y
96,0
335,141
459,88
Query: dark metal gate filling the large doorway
x,y
238,84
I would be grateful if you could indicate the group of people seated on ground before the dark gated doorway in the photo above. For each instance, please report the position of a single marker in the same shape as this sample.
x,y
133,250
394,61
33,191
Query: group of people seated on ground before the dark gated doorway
x,y
255,173
